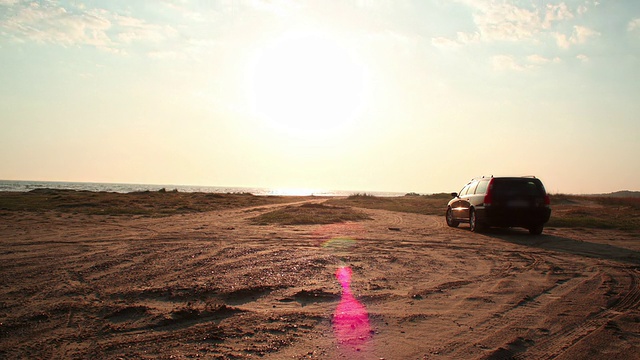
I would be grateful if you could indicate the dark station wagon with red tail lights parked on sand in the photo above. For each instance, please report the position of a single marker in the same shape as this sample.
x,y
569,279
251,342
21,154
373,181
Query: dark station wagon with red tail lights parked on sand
x,y
502,202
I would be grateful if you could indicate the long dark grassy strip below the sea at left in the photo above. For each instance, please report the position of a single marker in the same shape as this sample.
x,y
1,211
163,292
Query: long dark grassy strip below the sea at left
x,y
146,203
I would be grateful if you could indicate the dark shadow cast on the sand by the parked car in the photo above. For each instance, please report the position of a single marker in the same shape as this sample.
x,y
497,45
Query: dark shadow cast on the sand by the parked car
x,y
566,245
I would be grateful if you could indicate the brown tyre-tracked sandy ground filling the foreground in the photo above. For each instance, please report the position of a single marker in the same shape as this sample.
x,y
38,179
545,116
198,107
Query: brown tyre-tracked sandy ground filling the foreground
x,y
214,285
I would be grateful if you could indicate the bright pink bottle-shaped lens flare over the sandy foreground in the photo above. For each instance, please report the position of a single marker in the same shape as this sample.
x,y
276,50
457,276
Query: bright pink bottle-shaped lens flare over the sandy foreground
x,y
351,319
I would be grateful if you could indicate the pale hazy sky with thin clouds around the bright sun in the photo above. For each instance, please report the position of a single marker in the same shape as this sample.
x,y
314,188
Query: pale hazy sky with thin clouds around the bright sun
x,y
362,95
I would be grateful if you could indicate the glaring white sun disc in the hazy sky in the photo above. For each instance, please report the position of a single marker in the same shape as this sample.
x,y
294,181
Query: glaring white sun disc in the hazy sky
x,y
306,83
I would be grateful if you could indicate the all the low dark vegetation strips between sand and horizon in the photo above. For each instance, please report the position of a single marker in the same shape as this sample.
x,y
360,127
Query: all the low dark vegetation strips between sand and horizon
x,y
597,212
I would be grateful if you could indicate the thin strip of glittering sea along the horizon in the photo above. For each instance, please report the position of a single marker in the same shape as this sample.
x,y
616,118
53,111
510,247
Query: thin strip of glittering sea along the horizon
x,y
25,186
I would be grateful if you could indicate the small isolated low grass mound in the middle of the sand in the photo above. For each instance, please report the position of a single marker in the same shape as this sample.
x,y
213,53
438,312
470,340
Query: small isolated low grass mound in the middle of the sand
x,y
309,214
